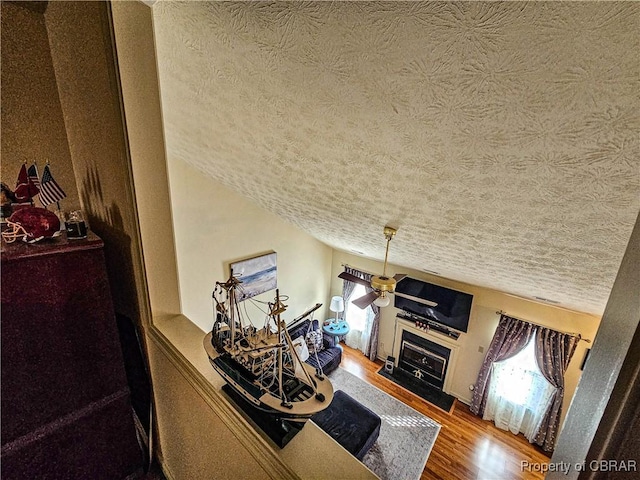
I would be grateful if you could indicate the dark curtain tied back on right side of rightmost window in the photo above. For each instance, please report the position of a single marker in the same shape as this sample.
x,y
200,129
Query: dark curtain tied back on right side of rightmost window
x,y
553,354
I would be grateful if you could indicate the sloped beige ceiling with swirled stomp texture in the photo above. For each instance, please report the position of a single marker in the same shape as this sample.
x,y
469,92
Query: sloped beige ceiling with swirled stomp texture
x,y
501,138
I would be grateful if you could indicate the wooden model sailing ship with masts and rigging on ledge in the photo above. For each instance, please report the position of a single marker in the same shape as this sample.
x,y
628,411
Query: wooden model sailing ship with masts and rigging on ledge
x,y
261,365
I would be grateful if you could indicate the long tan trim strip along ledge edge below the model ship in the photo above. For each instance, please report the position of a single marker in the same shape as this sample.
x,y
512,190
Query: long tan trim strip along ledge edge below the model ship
x,y
256,446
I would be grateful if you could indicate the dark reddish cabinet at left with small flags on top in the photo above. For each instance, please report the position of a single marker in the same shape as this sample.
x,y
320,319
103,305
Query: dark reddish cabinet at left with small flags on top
x,y
66,411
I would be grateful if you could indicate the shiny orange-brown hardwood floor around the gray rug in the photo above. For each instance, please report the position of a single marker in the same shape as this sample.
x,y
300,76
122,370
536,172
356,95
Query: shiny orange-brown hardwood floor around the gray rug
x,y
467,447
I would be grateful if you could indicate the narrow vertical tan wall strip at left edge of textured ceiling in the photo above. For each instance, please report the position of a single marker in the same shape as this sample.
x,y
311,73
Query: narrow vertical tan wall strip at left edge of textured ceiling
x,y
138,77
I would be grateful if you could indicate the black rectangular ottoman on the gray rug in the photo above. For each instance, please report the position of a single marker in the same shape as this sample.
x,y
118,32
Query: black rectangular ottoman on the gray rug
x,y
349,423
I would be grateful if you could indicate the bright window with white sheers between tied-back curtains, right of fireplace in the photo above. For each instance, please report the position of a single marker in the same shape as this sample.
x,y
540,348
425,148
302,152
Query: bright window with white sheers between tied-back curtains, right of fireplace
x,y
519,395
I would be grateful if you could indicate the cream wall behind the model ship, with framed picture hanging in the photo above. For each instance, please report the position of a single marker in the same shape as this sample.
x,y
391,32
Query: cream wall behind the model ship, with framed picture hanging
x,y
215,226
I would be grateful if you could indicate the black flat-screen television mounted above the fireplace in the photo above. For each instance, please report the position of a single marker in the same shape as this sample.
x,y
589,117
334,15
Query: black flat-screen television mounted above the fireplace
x,y
453,308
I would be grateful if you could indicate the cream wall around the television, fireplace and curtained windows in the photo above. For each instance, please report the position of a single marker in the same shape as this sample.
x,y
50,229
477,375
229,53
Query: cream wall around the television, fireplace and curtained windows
x,y
482,324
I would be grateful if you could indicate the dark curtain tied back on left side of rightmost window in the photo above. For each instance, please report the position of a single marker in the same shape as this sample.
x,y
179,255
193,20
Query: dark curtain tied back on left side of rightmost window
x,y
511,336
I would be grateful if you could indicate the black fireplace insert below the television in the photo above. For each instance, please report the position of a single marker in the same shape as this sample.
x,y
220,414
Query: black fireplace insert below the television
x,y
424,359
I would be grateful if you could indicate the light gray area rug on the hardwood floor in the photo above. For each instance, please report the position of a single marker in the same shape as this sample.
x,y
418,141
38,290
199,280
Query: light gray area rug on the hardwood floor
x,y
406,436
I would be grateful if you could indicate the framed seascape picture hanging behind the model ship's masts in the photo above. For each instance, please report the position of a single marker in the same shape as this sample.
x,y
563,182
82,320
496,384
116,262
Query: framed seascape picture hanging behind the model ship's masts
x,y
258,275
